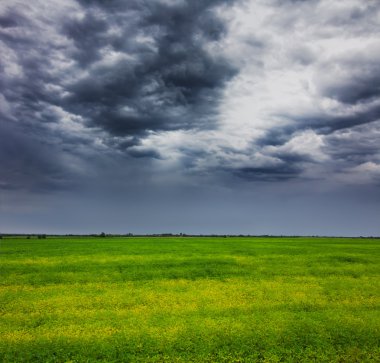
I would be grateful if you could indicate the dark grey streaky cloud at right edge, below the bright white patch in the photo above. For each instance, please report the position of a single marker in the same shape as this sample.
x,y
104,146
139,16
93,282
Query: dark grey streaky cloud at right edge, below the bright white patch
x,y
349,140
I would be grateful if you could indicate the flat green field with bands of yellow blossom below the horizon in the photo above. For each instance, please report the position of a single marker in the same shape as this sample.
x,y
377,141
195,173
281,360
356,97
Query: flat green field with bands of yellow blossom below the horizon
x,y
190,300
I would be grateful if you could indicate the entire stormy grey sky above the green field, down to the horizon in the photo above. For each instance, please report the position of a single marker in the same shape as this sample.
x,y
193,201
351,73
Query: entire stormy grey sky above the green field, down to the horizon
x,y
193,116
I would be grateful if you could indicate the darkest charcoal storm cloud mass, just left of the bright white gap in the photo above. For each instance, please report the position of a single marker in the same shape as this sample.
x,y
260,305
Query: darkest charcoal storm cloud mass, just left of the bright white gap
x,y
166,82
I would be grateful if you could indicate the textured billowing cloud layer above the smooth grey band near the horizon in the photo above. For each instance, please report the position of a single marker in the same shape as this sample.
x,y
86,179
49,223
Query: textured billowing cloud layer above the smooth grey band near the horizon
x,y
226,90
